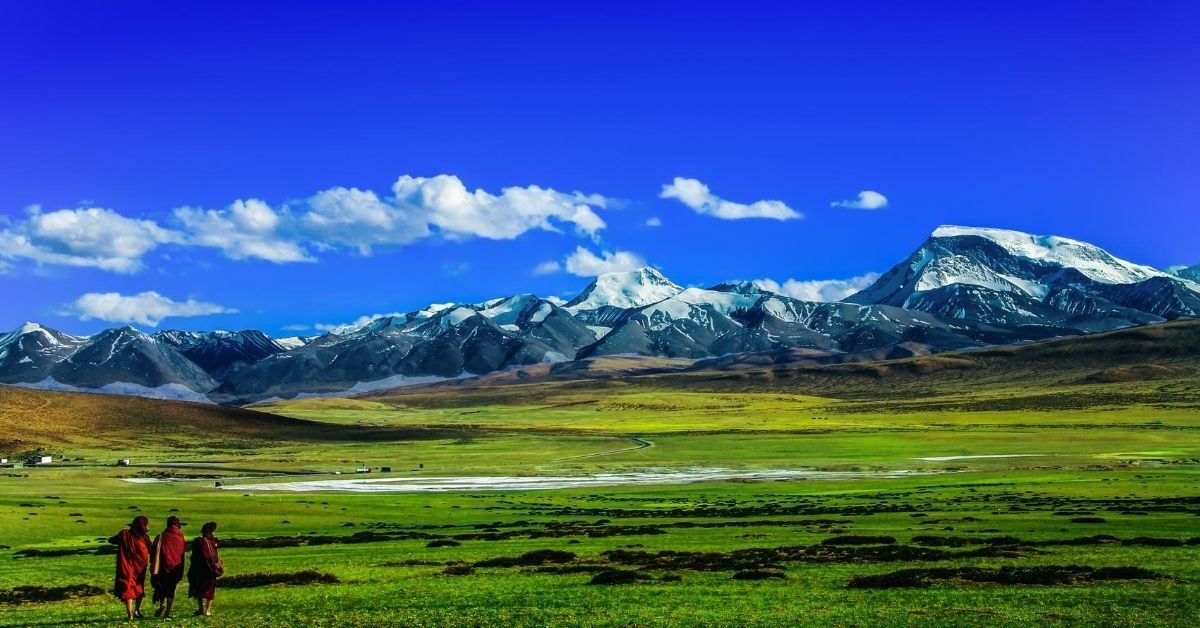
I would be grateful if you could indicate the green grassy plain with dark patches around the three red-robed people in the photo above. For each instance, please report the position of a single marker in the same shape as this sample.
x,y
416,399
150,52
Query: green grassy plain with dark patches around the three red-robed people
x,y
1099,522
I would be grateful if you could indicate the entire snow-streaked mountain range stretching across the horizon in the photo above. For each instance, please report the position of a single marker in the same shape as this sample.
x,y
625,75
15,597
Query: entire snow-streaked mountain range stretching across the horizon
x,y
963,288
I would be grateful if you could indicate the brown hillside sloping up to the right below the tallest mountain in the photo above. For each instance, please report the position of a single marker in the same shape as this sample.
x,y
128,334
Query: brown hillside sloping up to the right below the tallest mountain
x,y
1153,352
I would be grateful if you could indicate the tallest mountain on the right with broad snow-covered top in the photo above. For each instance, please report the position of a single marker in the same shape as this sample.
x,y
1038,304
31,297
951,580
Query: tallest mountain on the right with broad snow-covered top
x,y
1009,278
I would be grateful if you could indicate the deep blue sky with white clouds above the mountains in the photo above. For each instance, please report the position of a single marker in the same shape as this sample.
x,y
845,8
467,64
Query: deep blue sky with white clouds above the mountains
x,y
130,130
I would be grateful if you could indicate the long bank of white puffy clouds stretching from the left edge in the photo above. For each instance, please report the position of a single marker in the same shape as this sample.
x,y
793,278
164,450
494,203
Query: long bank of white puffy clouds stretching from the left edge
x,y
335,219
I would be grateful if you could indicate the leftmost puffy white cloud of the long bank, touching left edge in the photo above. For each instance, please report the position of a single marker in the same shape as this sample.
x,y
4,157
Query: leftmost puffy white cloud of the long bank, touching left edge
x,y
87,237
